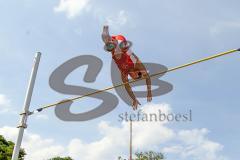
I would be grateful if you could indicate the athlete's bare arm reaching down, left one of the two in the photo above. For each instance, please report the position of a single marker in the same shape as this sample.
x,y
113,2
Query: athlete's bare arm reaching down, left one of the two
x,y
129,90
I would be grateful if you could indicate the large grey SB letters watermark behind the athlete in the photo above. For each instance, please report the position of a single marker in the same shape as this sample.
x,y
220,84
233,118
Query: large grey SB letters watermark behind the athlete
x,y
109,100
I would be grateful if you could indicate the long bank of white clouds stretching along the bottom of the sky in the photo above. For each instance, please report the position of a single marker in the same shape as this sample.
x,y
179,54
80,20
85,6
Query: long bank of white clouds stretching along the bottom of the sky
x,y
184,144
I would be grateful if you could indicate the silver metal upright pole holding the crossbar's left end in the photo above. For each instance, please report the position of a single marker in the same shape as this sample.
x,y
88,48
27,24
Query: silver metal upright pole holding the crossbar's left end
x,y
25,114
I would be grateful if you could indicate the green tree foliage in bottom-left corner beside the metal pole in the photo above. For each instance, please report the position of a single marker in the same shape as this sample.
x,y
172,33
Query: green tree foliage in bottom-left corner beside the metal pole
x,y
6,149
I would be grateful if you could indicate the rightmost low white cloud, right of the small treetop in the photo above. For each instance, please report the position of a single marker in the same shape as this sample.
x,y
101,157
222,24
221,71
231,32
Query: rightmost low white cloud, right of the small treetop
x,y
194,144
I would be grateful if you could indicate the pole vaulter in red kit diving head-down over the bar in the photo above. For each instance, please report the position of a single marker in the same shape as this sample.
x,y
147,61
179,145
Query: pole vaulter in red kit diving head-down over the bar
x,y
127,62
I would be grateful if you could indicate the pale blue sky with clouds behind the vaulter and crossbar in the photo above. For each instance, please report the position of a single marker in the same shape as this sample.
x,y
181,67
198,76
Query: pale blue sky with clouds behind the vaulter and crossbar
x,y
166,32
